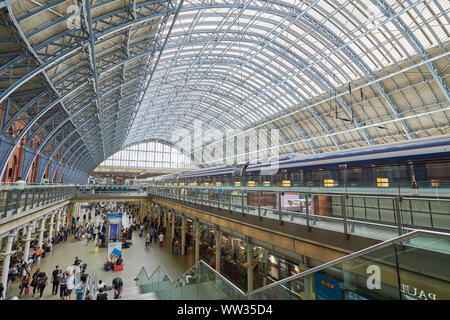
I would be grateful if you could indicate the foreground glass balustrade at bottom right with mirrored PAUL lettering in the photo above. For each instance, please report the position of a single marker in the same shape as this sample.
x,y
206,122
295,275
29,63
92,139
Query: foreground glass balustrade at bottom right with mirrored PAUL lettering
x,y
411,267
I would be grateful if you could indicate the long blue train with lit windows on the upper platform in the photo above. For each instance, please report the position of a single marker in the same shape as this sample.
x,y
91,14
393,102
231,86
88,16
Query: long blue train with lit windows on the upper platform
x,y
421,162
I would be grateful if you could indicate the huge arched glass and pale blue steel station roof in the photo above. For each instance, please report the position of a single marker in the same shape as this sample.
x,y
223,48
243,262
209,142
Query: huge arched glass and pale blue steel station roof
x,y
83,79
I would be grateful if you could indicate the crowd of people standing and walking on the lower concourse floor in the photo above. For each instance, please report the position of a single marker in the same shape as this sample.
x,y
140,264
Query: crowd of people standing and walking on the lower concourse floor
x,y
73,280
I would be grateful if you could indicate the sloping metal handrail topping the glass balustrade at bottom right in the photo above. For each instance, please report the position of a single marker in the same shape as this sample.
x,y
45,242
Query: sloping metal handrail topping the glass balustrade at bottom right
x,y
355,255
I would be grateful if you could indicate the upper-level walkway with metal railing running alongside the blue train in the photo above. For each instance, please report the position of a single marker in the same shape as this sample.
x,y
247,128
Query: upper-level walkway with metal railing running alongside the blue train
x,y
376,213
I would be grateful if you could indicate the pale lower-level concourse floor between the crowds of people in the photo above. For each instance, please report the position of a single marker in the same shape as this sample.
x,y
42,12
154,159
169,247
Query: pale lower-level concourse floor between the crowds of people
x,y
135,257
